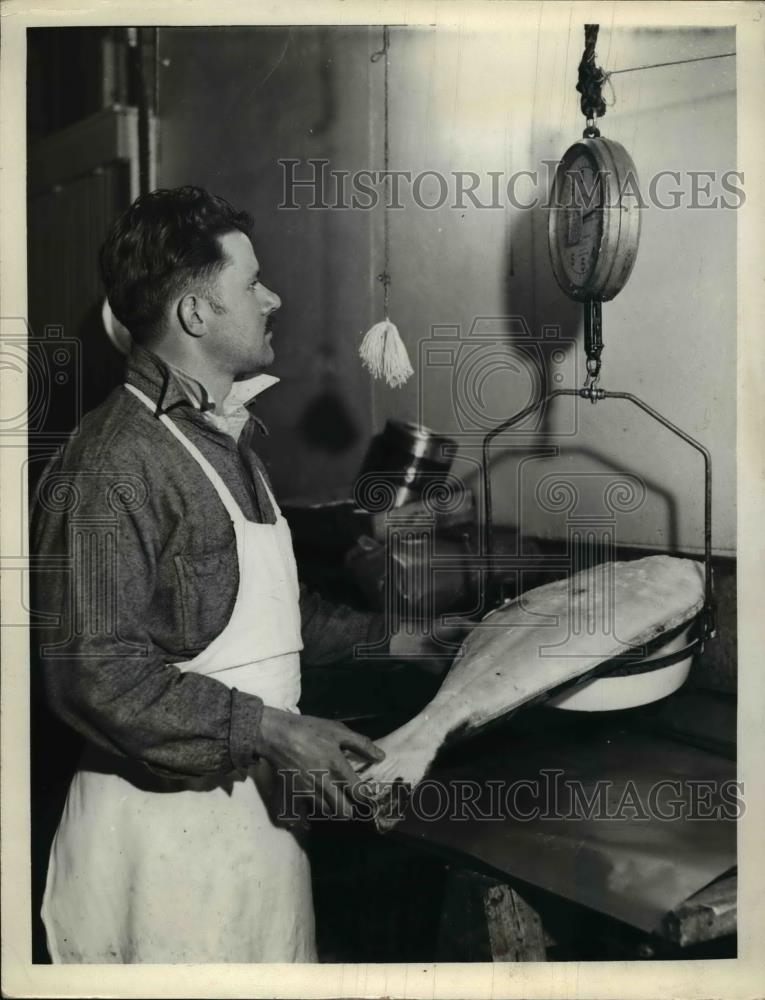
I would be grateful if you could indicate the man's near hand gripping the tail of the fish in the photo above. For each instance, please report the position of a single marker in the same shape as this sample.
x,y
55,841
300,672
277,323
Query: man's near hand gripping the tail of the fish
x,y
313,750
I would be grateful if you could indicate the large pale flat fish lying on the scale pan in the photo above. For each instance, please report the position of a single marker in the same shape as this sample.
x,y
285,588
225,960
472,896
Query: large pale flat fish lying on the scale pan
x,y
546,637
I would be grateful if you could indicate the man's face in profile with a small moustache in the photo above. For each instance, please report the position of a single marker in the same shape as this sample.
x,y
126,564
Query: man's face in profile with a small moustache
x,y
242,335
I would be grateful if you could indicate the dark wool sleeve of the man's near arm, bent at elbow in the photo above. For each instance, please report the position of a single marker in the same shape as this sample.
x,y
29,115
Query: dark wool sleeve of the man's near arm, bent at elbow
x,y
101,671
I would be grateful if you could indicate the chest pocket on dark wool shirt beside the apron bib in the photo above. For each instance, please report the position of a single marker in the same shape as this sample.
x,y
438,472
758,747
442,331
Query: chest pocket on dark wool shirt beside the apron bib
x,y
208,581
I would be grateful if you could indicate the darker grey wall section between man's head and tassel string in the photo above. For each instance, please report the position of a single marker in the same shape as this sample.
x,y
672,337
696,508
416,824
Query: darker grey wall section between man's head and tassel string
x,y
232,102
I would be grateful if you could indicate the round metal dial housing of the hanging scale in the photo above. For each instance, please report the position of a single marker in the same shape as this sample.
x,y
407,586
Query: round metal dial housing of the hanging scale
x,y
594,224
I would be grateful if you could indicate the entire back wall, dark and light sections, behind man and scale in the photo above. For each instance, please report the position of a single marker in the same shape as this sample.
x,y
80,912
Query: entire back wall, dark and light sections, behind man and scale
x,y
232,102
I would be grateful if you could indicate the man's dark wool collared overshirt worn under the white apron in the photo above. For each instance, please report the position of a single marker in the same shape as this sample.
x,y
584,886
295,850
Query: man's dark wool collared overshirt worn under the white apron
x,y
139,571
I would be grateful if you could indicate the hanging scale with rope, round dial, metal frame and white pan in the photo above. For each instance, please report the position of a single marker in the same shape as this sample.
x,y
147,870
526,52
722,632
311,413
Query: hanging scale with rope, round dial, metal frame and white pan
x,y
593,237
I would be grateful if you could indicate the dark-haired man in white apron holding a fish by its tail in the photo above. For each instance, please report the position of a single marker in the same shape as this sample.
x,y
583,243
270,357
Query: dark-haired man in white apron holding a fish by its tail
x,y
178,623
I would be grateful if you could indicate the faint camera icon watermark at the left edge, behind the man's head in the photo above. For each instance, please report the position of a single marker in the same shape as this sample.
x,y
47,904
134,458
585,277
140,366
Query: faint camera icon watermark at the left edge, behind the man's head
x,y
44,374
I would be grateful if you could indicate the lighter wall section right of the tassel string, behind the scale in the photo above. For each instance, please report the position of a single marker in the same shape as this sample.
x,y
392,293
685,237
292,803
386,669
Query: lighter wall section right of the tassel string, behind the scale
x,y
466,101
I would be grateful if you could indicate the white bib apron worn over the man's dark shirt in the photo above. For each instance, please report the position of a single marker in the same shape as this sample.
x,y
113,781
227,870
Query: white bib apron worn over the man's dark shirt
x,y
148,869
